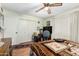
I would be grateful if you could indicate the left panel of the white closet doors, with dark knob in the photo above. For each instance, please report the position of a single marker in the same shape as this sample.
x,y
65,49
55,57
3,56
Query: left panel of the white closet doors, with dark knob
x,y
22,31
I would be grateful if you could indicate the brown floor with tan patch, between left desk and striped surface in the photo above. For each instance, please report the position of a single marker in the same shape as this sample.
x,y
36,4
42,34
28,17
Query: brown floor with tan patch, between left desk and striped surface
x,y
22,49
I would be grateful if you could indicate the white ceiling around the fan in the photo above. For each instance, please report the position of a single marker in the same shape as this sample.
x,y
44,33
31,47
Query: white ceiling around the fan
x,y
30,8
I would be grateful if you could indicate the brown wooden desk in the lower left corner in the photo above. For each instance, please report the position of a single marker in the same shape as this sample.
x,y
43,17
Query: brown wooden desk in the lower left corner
x,y
5,49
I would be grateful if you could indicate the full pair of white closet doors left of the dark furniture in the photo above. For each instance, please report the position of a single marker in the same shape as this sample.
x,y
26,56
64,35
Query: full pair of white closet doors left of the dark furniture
x,y
25,30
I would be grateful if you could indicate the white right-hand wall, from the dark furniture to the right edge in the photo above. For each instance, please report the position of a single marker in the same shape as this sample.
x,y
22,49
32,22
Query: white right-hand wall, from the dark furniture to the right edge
x,y
65,25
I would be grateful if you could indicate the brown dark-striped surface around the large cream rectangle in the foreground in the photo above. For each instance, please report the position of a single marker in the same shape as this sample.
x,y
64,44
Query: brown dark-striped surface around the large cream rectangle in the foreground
x,y
41,50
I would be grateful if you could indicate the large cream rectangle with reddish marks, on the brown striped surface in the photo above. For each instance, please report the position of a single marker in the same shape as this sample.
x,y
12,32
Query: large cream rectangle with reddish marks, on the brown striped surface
x,y
56,47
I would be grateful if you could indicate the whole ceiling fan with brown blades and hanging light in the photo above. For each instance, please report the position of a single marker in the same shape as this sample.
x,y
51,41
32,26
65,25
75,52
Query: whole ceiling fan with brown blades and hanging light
x,y
48,6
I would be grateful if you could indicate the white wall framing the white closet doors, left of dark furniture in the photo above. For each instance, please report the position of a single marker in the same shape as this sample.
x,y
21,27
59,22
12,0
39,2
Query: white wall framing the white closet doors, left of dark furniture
x,y
11,24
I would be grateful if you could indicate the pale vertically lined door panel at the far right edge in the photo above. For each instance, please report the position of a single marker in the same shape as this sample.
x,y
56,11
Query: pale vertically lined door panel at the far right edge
x,y
75,27
